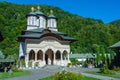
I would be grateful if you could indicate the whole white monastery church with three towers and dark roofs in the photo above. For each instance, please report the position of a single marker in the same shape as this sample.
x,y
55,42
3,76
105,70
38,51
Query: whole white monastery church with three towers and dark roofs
x,y
41,42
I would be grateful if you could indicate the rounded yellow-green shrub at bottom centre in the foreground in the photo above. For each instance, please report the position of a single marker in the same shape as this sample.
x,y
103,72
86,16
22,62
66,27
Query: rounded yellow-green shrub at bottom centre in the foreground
x,y
64,75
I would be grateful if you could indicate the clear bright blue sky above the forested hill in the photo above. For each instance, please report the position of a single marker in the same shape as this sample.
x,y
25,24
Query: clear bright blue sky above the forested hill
x,y
105,10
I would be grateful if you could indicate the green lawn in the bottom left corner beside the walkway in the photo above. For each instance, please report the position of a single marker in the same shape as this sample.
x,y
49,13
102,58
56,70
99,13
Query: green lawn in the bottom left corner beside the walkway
x,y
14,74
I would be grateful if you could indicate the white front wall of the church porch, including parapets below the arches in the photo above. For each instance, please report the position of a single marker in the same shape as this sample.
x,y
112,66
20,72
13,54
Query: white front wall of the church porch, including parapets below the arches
x,y
47,43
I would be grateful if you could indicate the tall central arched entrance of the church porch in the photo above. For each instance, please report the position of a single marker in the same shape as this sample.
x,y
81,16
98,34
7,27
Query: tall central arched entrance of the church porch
x,y
49,55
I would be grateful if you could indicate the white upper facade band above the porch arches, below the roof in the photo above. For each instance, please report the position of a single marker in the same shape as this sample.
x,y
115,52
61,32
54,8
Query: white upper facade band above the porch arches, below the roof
x,y
45,44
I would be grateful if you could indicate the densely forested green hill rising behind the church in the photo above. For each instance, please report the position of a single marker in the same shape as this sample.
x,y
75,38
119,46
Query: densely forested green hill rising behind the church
x,y
90,32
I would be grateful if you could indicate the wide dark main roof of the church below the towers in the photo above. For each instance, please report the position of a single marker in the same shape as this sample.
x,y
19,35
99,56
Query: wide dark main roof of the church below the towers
x,y
40,33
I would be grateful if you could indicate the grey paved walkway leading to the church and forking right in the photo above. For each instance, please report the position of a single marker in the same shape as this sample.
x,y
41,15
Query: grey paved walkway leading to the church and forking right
x,y
48,71
